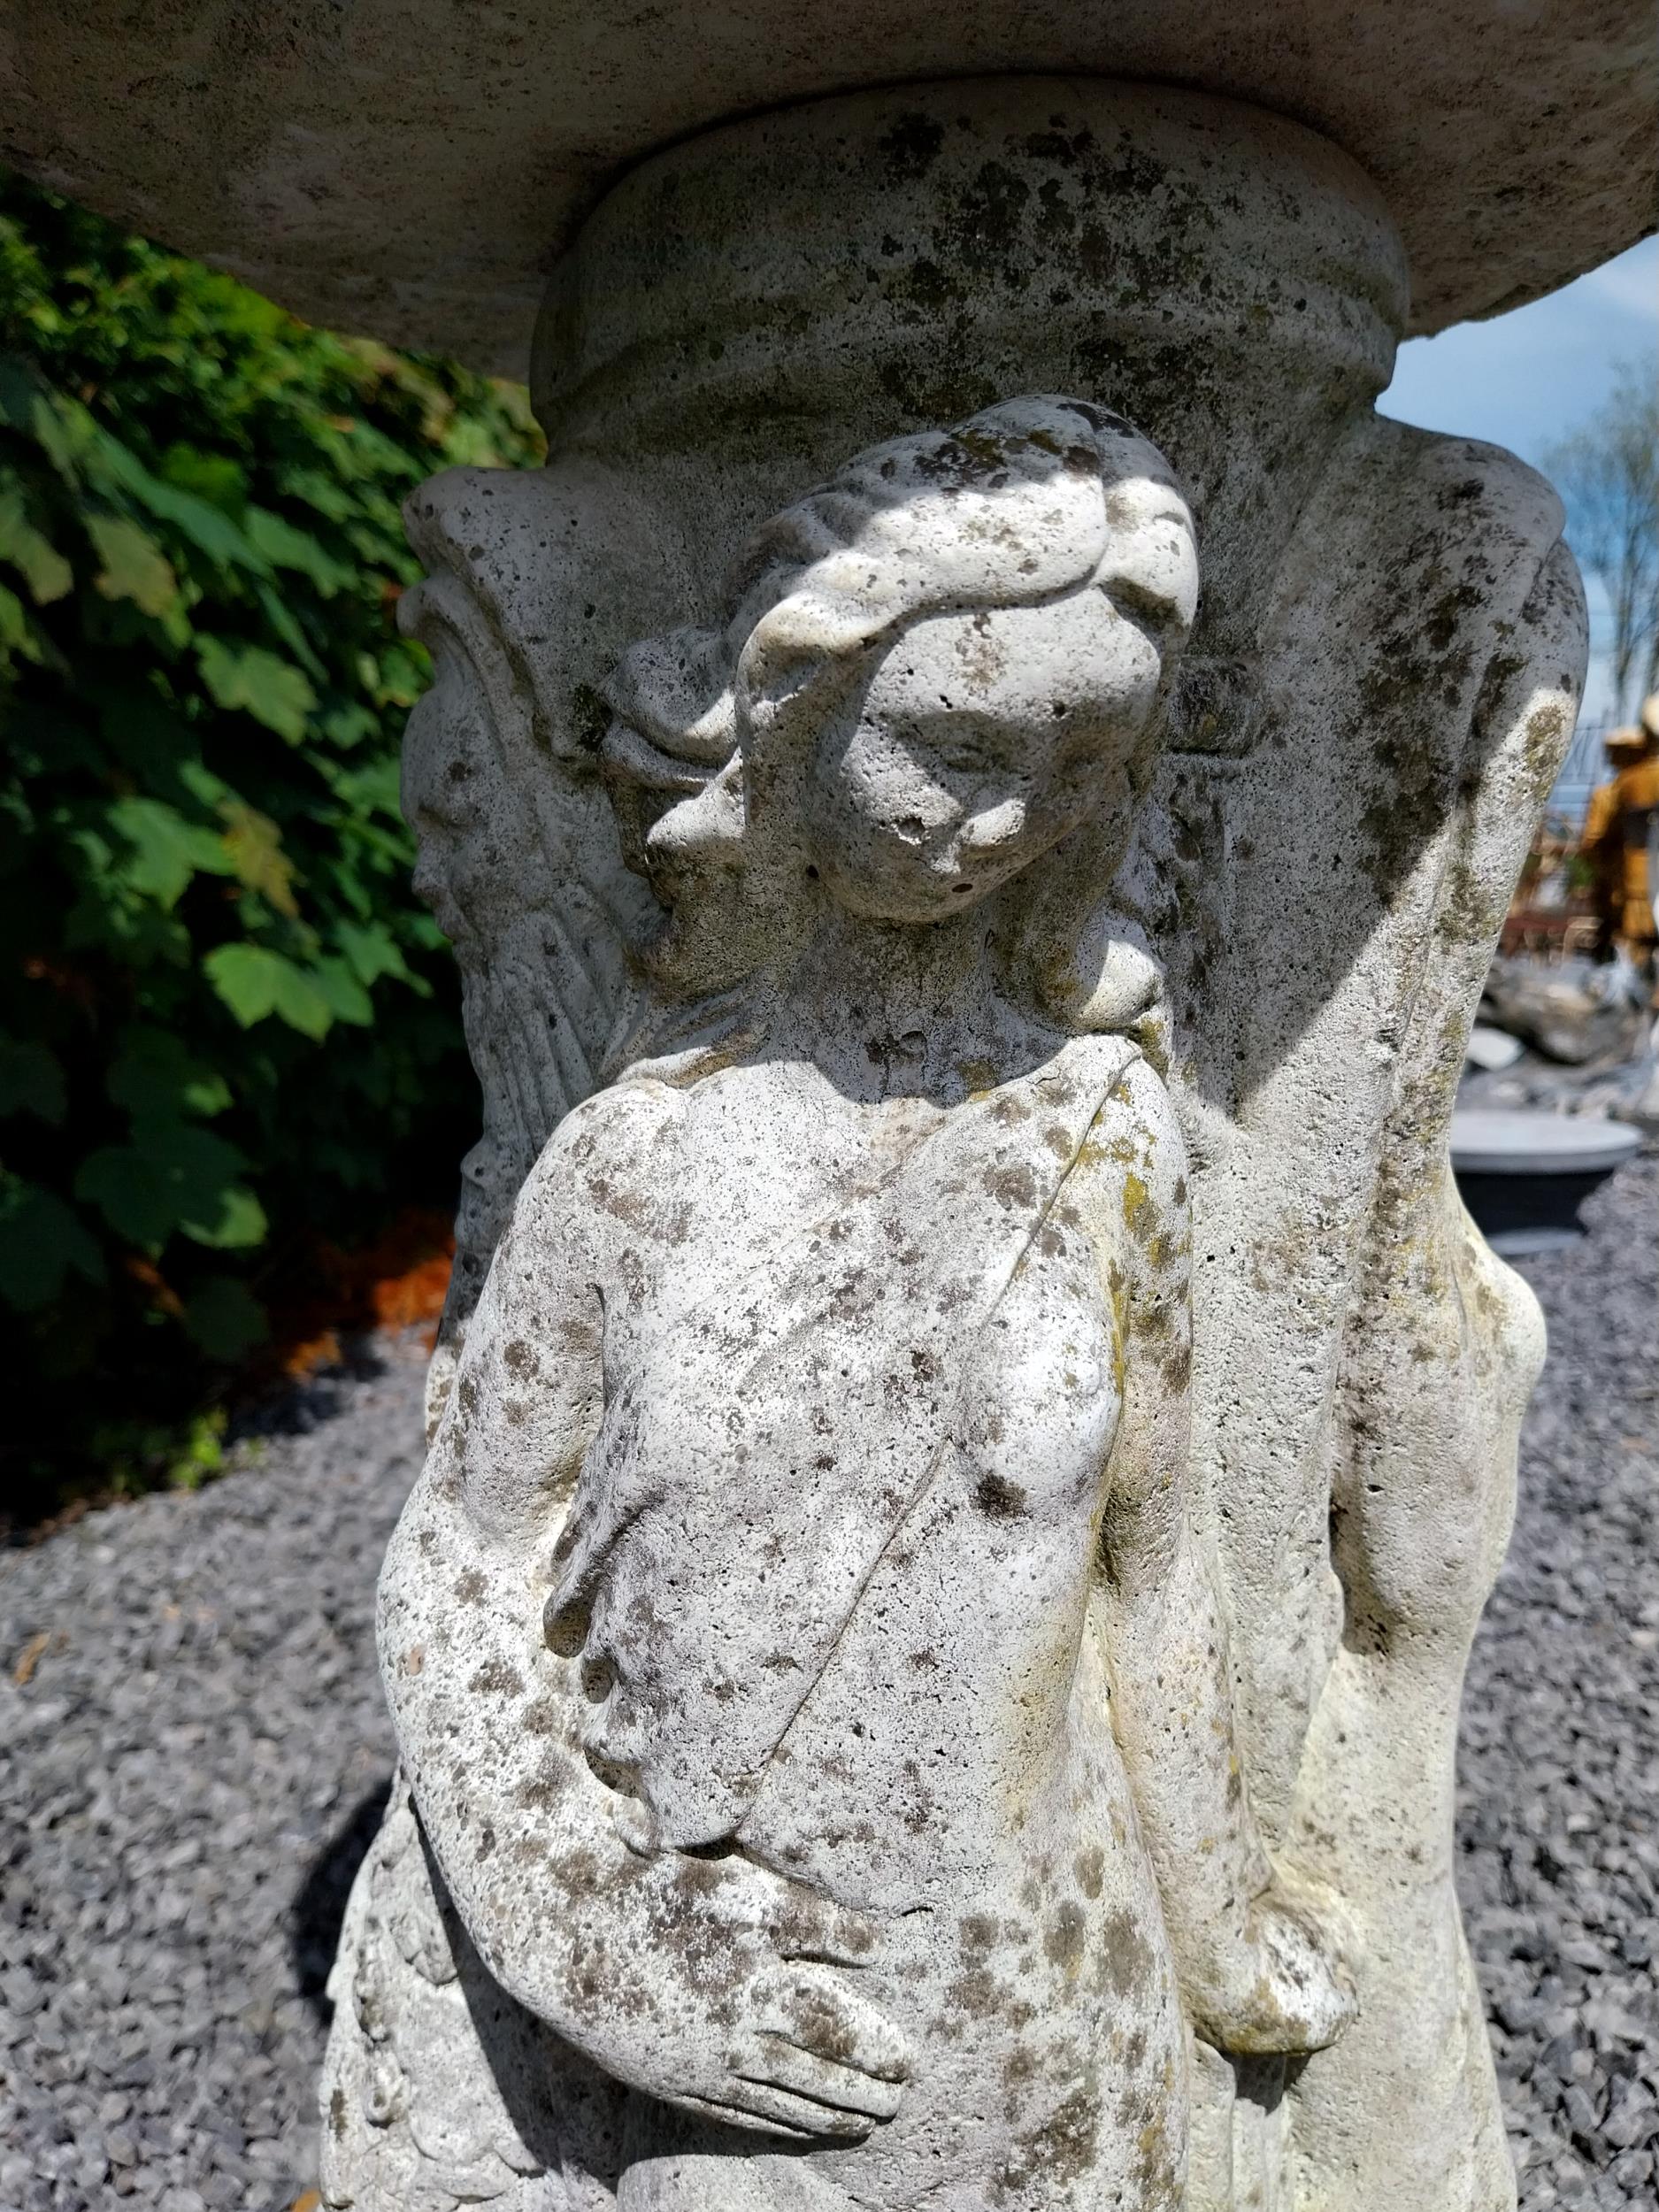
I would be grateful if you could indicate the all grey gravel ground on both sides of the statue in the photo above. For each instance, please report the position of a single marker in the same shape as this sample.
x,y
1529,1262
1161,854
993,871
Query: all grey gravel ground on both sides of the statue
x,y
194,1757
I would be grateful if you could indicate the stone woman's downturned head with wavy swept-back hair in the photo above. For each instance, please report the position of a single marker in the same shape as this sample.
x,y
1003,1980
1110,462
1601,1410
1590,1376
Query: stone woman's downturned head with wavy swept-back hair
x,y
937,667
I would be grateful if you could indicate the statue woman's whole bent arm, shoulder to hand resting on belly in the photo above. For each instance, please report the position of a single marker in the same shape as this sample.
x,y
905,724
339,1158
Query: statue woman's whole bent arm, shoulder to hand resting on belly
x,y
709,1983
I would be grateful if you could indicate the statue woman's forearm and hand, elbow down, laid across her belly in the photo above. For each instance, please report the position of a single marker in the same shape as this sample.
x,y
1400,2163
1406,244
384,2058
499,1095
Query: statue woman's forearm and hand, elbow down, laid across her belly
x,y
705,1981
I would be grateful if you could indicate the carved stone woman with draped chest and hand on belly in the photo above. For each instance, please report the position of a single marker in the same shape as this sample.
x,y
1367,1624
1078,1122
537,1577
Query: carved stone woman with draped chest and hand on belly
x,y
802,1645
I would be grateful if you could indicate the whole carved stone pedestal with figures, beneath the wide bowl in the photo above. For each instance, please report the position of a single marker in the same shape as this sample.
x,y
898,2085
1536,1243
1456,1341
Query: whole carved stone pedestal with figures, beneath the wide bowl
x,y
813,1691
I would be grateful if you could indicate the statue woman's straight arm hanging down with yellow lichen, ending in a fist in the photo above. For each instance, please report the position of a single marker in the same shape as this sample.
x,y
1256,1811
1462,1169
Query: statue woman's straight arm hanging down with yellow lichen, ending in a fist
x,y
1249,1954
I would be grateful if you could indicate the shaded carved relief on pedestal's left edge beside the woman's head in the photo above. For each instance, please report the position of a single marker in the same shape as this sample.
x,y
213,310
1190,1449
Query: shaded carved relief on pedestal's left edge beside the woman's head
x,y
534,581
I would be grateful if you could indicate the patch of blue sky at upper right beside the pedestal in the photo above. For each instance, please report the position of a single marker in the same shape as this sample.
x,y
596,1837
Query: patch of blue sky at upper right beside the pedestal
x,y
1530,377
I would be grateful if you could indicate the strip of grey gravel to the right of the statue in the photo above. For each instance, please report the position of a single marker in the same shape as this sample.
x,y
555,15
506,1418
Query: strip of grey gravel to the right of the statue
x,y
1561,1742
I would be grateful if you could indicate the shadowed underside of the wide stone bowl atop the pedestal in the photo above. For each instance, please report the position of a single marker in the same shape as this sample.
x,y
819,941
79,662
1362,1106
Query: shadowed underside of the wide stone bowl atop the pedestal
x,y
413,169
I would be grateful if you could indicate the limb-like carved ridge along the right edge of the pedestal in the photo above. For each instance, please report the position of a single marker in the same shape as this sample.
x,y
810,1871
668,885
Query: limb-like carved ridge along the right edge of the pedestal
x,y
1446,1342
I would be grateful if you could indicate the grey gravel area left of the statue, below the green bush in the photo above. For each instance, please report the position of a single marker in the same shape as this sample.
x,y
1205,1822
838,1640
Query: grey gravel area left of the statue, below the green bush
x,y
187,1786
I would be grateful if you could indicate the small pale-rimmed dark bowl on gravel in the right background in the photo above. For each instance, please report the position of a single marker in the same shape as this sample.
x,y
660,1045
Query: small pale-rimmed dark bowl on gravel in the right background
x,y
1525,1176
